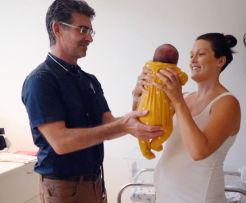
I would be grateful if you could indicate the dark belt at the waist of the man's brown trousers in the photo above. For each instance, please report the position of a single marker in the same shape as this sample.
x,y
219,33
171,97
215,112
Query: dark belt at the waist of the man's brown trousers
x,y
85,177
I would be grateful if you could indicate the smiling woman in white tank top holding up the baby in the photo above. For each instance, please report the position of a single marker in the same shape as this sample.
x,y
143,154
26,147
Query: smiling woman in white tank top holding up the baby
x,y
206,121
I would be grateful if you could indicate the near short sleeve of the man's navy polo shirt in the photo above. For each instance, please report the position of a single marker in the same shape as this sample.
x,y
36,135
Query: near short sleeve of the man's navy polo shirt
x,y
42,99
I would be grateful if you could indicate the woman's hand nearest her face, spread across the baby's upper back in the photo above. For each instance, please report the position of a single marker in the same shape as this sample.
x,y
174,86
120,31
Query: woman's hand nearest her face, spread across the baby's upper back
x,y
171,85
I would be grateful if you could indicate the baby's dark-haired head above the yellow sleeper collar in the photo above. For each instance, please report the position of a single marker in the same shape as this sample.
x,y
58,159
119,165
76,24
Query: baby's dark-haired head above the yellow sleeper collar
x,y
166,53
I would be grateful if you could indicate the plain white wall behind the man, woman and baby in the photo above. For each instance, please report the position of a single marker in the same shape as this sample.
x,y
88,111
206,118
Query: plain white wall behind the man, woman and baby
x,y
127,32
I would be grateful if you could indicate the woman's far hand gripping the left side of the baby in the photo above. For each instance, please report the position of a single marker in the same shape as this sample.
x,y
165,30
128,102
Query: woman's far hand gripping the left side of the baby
x,y
144,79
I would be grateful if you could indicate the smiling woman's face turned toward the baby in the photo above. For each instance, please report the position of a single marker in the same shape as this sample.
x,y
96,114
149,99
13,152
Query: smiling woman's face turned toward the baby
x,y
203,63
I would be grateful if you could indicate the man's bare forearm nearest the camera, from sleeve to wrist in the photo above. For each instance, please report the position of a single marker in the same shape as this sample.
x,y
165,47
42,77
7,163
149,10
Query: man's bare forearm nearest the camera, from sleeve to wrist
x,y
65,140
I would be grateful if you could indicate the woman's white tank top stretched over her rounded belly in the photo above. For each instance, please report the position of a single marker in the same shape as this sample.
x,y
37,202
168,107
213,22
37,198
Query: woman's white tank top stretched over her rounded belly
x,y
180,179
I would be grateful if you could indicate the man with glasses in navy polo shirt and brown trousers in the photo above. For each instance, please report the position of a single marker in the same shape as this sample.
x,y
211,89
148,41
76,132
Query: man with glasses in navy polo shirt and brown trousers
x,y
69,116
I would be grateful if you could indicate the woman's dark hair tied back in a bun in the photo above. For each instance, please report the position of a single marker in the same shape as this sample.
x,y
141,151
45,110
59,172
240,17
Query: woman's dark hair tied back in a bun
x,y
221,45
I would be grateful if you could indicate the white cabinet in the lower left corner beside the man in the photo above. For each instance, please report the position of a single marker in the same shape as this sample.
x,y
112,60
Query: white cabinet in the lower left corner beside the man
x,y
18,182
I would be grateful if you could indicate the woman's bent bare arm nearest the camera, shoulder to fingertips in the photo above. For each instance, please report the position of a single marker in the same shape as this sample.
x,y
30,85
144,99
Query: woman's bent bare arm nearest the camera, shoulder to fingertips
x,y
223,121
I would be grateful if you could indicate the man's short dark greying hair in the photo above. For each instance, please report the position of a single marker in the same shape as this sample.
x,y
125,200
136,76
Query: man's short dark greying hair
x,y
62,10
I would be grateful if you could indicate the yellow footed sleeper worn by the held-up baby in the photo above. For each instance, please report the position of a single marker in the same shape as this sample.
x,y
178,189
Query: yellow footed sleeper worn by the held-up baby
x,y
159,107
